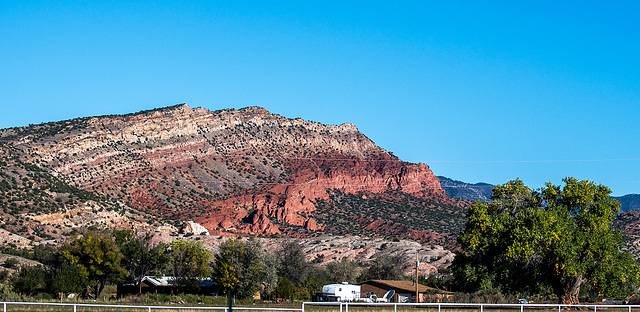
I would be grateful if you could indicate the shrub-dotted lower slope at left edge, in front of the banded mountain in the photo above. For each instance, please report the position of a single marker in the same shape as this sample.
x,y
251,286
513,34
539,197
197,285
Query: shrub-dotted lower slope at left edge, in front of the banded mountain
x,y
37,205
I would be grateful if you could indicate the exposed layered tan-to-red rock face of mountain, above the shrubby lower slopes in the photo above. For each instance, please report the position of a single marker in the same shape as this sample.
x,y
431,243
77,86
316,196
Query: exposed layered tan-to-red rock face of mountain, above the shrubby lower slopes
x,y
233,171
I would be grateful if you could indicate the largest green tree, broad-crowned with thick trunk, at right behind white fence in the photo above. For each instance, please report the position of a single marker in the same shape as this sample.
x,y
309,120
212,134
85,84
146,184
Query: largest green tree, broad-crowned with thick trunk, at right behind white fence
x,y
555,239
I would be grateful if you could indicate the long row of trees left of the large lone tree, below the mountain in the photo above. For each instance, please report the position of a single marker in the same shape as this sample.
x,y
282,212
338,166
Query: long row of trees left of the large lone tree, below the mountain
x,y
94,259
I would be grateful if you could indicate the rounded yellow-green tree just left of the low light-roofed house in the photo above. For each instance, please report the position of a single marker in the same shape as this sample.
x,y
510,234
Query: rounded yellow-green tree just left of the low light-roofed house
x,y
98,258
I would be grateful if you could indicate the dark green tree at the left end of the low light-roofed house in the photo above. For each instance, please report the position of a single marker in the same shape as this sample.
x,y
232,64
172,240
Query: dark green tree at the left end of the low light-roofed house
x,y
142,258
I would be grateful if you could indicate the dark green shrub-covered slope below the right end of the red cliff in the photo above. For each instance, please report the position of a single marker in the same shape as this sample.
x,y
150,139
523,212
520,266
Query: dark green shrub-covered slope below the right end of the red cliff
x,y
392,214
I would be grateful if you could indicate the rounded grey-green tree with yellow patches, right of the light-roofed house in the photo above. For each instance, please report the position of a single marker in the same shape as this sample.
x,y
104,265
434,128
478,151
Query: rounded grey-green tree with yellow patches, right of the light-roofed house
x,y
242,268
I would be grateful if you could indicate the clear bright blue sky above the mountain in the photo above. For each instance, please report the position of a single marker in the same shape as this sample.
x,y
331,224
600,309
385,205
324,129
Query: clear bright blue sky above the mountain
x,y
479,90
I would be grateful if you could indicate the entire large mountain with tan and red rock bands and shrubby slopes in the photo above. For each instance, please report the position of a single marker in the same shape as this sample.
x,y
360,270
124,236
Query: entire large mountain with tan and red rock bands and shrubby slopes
x,y
236,172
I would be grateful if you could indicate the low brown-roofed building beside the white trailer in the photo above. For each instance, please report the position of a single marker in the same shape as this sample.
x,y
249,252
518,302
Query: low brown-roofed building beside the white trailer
x,y
405,291
